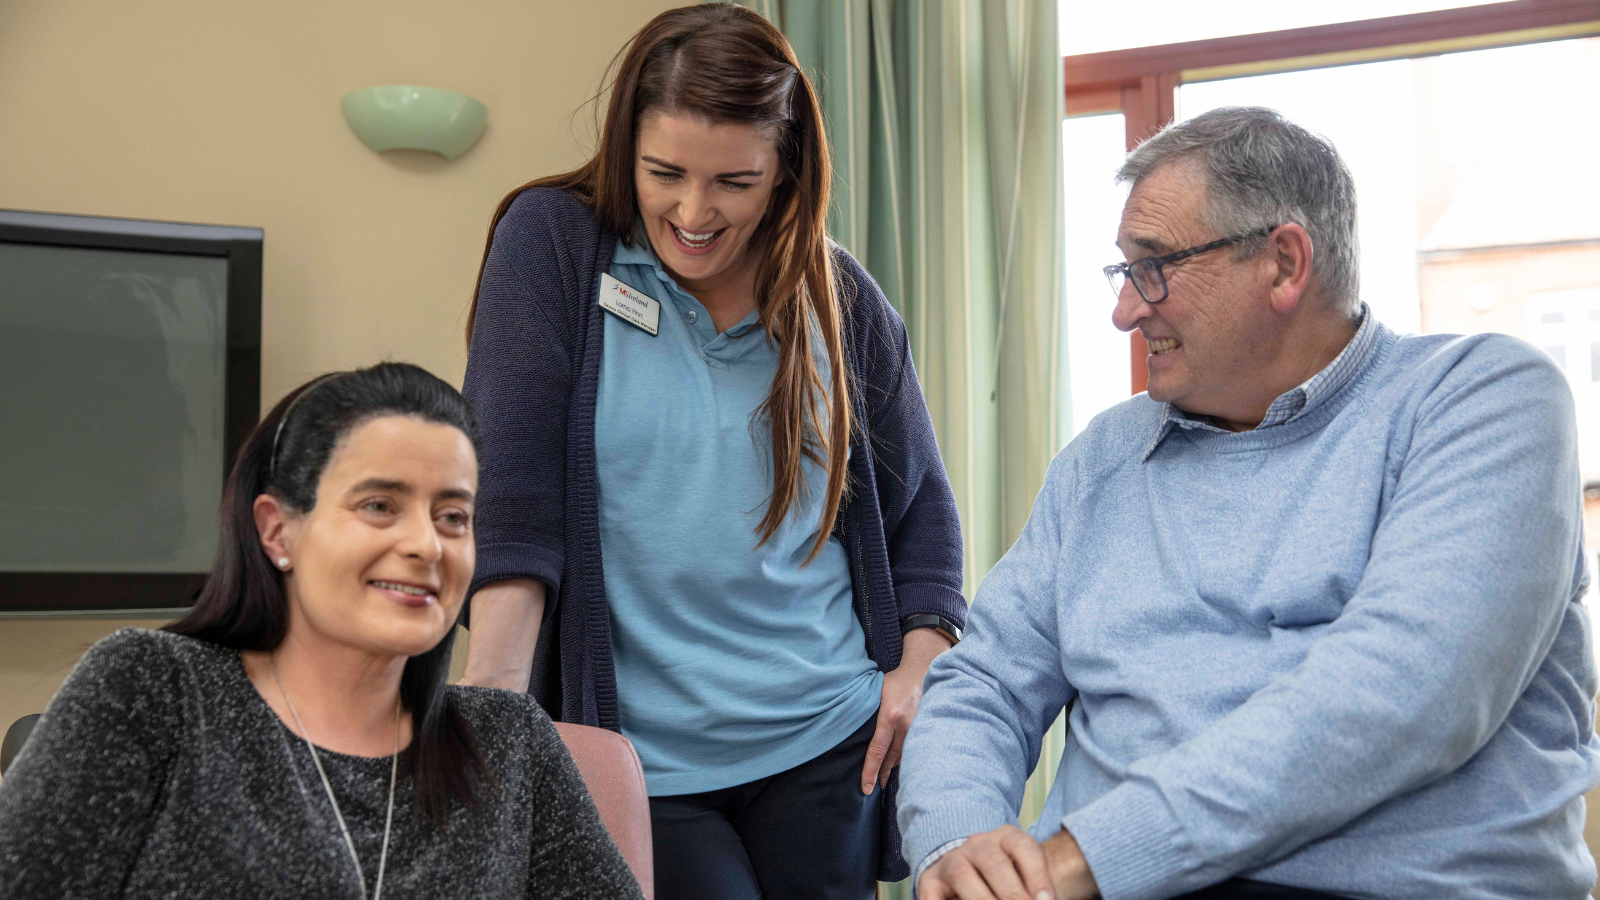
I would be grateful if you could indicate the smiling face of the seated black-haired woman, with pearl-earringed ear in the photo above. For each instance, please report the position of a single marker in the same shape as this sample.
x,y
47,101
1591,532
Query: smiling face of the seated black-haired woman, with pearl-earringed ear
x,y
383,560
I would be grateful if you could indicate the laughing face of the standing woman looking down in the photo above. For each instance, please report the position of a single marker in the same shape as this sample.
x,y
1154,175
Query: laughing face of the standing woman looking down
x,y
703,191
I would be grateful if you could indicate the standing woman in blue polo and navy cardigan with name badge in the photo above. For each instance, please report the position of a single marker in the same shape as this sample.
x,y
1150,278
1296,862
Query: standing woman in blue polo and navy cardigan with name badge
x,y
713,513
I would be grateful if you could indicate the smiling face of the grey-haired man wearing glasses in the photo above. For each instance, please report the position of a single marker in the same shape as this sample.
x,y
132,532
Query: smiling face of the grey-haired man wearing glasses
x,y
1215,329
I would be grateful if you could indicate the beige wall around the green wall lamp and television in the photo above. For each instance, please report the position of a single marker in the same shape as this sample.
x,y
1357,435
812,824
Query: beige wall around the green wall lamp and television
x,y
230,115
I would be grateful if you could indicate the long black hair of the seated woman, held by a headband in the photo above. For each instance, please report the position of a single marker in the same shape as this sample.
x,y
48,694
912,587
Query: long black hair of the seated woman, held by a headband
x,y
246,605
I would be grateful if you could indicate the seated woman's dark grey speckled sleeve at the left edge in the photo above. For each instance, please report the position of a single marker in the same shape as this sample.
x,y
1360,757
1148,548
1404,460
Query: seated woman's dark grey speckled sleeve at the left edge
x,y
79,802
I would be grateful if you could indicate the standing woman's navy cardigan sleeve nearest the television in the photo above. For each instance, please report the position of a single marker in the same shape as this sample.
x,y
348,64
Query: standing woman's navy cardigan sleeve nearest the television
x,y
519,384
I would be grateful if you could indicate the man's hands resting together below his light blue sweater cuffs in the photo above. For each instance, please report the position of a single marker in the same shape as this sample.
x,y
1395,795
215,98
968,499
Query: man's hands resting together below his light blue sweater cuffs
x,y
1007,864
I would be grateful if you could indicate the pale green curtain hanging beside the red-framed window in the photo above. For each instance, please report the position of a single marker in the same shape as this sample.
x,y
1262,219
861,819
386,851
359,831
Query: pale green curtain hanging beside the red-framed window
x,y
945,119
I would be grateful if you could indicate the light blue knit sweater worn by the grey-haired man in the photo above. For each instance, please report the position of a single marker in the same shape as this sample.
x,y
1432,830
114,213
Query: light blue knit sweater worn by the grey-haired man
x,y
1345,653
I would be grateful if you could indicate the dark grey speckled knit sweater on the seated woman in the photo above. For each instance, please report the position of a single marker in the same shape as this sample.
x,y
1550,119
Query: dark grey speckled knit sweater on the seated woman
x,y
158,771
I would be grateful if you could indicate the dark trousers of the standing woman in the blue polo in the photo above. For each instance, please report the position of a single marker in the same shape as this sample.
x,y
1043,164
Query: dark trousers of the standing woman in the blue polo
x,y
802,835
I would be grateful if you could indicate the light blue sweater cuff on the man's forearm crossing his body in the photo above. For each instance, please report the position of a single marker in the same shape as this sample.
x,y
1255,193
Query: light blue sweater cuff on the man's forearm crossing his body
x,y
1134,845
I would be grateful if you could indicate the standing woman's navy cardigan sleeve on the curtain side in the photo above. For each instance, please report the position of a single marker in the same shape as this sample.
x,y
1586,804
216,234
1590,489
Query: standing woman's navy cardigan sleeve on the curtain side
x,y
922,526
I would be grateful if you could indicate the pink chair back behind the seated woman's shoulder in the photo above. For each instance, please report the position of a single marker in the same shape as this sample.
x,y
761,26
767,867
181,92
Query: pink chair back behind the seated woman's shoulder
x,y
617,782
